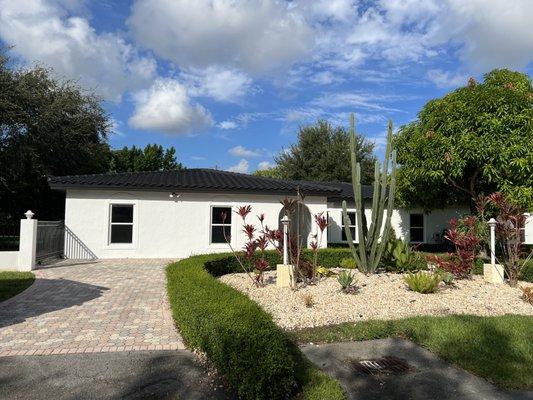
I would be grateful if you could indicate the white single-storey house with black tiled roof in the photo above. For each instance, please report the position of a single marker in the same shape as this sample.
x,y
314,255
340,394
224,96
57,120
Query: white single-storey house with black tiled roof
x,y
175,214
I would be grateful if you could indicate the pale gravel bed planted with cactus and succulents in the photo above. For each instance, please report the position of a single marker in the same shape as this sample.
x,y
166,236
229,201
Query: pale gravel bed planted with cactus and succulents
x,y
380,296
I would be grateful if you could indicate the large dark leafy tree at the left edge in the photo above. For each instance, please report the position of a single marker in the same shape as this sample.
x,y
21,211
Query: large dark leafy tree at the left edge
x,y
47,127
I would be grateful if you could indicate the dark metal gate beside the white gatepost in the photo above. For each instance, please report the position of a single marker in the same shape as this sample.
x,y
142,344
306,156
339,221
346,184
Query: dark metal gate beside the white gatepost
x,y
50,240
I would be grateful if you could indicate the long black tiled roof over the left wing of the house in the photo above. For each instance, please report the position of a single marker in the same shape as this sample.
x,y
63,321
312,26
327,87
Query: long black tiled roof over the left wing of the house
x,y
193,180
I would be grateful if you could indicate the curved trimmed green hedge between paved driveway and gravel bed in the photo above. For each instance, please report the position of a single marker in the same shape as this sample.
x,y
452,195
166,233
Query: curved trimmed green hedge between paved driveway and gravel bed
x,y
257,358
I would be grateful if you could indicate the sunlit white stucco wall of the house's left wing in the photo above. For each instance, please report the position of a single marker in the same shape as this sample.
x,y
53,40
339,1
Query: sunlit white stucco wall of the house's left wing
x,y
162,227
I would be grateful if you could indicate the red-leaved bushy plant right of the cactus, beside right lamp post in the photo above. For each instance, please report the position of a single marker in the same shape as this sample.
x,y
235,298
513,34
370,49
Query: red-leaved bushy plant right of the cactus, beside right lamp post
x,y
464,235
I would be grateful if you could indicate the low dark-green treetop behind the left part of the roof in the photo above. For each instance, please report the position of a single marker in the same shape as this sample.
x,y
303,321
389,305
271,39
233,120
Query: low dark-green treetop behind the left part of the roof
x,y
152,158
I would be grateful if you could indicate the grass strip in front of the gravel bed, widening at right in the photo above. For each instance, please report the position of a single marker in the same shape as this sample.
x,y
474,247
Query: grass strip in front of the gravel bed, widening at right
x,y
499,349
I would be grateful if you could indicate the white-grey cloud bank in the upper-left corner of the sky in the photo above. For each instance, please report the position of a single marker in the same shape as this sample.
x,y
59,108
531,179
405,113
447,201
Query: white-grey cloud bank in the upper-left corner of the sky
x,y
42,31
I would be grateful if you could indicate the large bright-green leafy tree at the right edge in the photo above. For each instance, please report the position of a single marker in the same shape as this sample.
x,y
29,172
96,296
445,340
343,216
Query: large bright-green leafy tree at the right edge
x,y
476,139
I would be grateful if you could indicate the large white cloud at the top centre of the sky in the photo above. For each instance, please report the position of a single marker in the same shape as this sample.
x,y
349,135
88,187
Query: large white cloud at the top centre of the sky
x,y
257,36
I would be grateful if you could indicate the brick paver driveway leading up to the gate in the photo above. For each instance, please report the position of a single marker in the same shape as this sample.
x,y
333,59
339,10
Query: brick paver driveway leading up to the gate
x,y
107,305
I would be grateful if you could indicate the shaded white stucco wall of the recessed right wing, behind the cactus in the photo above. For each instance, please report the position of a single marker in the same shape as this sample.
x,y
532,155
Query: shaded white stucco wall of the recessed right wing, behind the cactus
x,y
435,222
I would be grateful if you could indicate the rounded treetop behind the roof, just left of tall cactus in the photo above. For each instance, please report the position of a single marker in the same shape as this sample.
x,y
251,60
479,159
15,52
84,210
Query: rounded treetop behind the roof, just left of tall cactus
x,y
323,154
